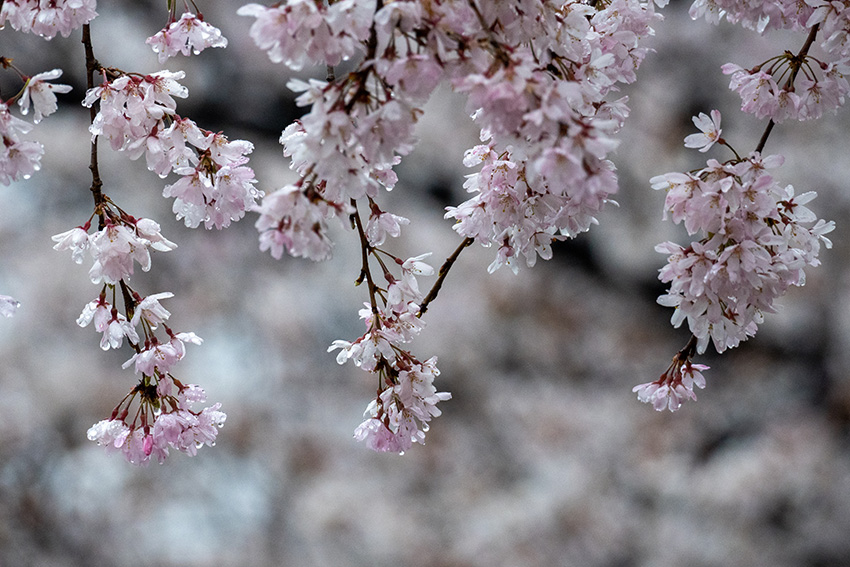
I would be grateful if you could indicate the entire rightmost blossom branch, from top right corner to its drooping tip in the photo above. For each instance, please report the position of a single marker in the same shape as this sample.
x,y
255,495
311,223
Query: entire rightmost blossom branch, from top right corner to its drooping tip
x,y
756,236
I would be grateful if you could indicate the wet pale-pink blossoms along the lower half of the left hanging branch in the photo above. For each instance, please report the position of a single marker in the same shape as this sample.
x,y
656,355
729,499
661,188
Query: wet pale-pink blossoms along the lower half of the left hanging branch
x,y
162,419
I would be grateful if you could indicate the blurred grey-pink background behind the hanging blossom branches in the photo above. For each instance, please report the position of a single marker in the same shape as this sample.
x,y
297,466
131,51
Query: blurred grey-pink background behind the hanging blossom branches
x,y
543,457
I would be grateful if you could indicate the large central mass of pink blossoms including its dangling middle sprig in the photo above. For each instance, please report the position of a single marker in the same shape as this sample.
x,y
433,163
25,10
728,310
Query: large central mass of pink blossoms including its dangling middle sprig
x,y
536,75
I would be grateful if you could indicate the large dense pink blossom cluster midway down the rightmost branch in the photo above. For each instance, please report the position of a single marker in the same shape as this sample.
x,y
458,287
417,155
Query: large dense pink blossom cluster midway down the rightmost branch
x,y
756,239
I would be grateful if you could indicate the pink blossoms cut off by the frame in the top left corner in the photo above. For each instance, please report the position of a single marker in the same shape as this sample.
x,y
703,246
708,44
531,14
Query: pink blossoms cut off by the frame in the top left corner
x,y
47,18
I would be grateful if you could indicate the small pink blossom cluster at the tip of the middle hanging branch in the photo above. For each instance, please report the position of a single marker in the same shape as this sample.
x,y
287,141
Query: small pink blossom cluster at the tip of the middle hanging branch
x,y
407,398
